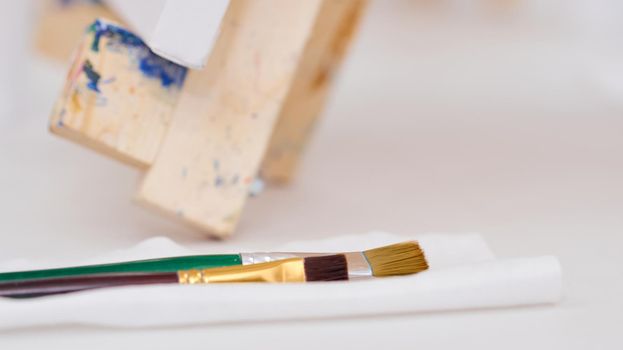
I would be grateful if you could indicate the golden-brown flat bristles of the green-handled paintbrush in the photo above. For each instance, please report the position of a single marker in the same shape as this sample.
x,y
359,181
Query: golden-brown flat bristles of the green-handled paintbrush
x,y
396,259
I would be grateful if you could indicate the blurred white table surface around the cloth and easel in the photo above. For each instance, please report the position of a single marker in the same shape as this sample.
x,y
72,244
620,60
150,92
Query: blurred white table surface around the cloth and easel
x,y
436,125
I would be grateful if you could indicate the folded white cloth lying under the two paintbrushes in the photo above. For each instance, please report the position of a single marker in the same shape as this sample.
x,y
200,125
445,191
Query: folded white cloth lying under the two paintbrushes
x,y
463,274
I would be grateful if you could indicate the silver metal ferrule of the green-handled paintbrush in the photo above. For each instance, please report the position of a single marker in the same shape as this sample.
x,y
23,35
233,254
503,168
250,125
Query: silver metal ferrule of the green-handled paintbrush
x,y
358,266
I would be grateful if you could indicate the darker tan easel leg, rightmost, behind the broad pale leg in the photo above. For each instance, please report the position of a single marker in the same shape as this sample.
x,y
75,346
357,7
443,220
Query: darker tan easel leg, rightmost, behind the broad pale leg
x,y
310,89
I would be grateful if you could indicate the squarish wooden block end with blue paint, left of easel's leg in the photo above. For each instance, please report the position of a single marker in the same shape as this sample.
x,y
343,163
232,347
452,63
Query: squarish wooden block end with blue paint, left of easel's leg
x,y
110,104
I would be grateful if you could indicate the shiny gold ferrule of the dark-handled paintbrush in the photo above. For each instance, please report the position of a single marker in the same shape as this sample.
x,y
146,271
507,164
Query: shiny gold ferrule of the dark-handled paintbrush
x,y
288,270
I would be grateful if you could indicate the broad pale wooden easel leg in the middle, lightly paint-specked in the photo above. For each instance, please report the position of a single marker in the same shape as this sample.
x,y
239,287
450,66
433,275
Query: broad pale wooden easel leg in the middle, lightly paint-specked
x,y
226,114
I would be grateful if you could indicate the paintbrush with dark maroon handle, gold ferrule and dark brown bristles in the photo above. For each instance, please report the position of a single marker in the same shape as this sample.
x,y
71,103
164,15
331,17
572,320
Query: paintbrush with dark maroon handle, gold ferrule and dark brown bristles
x,y
310,269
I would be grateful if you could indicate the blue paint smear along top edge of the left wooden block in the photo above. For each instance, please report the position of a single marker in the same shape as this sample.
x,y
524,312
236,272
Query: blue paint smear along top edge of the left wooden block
x,y
150,64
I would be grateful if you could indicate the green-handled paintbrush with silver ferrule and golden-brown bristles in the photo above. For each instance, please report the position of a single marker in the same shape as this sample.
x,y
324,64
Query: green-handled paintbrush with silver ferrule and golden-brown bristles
x,y
396,259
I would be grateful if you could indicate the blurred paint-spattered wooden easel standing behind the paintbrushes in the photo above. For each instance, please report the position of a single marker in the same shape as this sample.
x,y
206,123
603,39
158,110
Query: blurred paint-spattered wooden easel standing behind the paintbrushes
x,y
249,111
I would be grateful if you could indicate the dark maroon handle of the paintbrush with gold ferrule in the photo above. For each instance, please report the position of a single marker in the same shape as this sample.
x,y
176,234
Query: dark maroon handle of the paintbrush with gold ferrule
x,y
50,286
